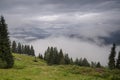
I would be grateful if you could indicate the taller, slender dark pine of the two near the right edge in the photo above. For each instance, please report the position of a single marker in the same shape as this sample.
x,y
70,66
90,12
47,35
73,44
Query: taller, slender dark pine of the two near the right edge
x,y
111,62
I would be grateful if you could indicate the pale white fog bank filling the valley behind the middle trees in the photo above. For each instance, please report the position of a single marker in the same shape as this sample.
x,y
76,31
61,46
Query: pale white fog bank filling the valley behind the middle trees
x,y
75,48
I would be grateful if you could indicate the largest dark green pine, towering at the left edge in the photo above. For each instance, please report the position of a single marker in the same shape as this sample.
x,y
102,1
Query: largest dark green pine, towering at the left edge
x,y
5,52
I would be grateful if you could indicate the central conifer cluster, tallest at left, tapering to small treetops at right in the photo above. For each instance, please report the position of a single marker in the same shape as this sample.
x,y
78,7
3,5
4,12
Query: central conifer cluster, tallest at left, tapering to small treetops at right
x,y
54,57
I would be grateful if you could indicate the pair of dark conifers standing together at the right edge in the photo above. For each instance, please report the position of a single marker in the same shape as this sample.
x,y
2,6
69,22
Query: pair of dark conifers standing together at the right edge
x,y
113,62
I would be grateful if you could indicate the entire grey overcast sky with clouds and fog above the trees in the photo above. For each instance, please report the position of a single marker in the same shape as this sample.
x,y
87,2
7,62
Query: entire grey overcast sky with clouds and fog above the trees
x,y
90,26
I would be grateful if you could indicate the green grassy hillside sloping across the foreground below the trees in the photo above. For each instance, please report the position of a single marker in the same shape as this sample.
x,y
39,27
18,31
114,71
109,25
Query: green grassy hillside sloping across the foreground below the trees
x,y
26,69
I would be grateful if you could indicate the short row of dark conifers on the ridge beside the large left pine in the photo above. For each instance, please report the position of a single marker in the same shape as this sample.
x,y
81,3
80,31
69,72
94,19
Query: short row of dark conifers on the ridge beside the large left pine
x,y
22,49
